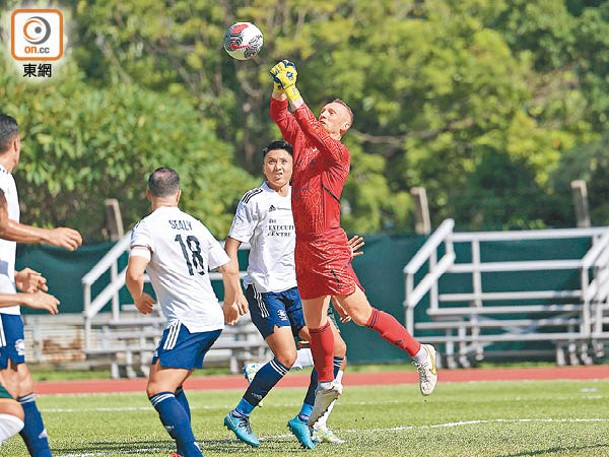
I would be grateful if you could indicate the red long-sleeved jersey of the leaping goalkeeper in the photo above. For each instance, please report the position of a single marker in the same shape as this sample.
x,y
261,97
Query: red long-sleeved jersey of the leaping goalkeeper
x,y
321,167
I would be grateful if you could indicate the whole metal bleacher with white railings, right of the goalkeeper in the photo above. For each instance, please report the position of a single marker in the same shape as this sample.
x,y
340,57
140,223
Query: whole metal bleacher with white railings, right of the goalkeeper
x,y
570,322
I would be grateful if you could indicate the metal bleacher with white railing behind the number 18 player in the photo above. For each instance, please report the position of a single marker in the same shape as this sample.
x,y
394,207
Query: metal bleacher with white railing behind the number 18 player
x,y
126,339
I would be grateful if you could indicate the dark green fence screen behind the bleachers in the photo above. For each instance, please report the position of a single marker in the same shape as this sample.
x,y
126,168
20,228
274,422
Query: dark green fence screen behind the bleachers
x,y
380,270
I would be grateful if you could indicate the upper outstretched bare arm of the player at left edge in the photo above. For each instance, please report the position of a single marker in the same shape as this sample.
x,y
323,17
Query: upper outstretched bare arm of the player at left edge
x,y
62,237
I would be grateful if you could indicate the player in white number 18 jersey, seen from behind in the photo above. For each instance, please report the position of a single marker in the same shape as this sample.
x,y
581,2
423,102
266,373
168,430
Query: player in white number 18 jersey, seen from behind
x,y
178,251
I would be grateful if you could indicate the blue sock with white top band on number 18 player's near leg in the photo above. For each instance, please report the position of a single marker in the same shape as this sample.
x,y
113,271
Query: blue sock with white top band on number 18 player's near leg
x,y
176,422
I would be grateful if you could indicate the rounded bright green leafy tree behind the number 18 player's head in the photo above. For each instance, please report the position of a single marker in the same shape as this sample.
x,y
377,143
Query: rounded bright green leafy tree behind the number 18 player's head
x,y
83,145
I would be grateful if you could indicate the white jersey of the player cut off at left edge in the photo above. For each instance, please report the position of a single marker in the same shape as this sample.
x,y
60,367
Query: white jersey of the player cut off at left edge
x,y
8,248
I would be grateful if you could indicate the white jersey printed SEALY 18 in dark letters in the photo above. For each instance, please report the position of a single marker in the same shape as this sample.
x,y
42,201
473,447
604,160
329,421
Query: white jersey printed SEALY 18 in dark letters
x,y
182,253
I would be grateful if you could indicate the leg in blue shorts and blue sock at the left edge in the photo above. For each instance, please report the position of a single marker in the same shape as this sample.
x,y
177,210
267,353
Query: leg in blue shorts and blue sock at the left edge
x,y
20,384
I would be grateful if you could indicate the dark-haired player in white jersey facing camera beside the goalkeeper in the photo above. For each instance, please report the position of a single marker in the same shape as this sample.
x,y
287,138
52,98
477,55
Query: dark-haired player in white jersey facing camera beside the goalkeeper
x,y
264,219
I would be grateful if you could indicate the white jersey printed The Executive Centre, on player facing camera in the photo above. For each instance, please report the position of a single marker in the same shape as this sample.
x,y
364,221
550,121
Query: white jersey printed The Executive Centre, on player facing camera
x,y
264,219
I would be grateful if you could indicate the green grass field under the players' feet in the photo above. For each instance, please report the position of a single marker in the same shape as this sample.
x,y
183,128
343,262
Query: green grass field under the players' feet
x,y
527,418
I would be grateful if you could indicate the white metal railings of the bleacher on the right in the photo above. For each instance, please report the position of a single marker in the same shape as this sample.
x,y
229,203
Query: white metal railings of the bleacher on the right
x,y
582,320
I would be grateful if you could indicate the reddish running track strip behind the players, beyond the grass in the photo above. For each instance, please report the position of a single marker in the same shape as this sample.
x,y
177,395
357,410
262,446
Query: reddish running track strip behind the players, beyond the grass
x,y
350,379
